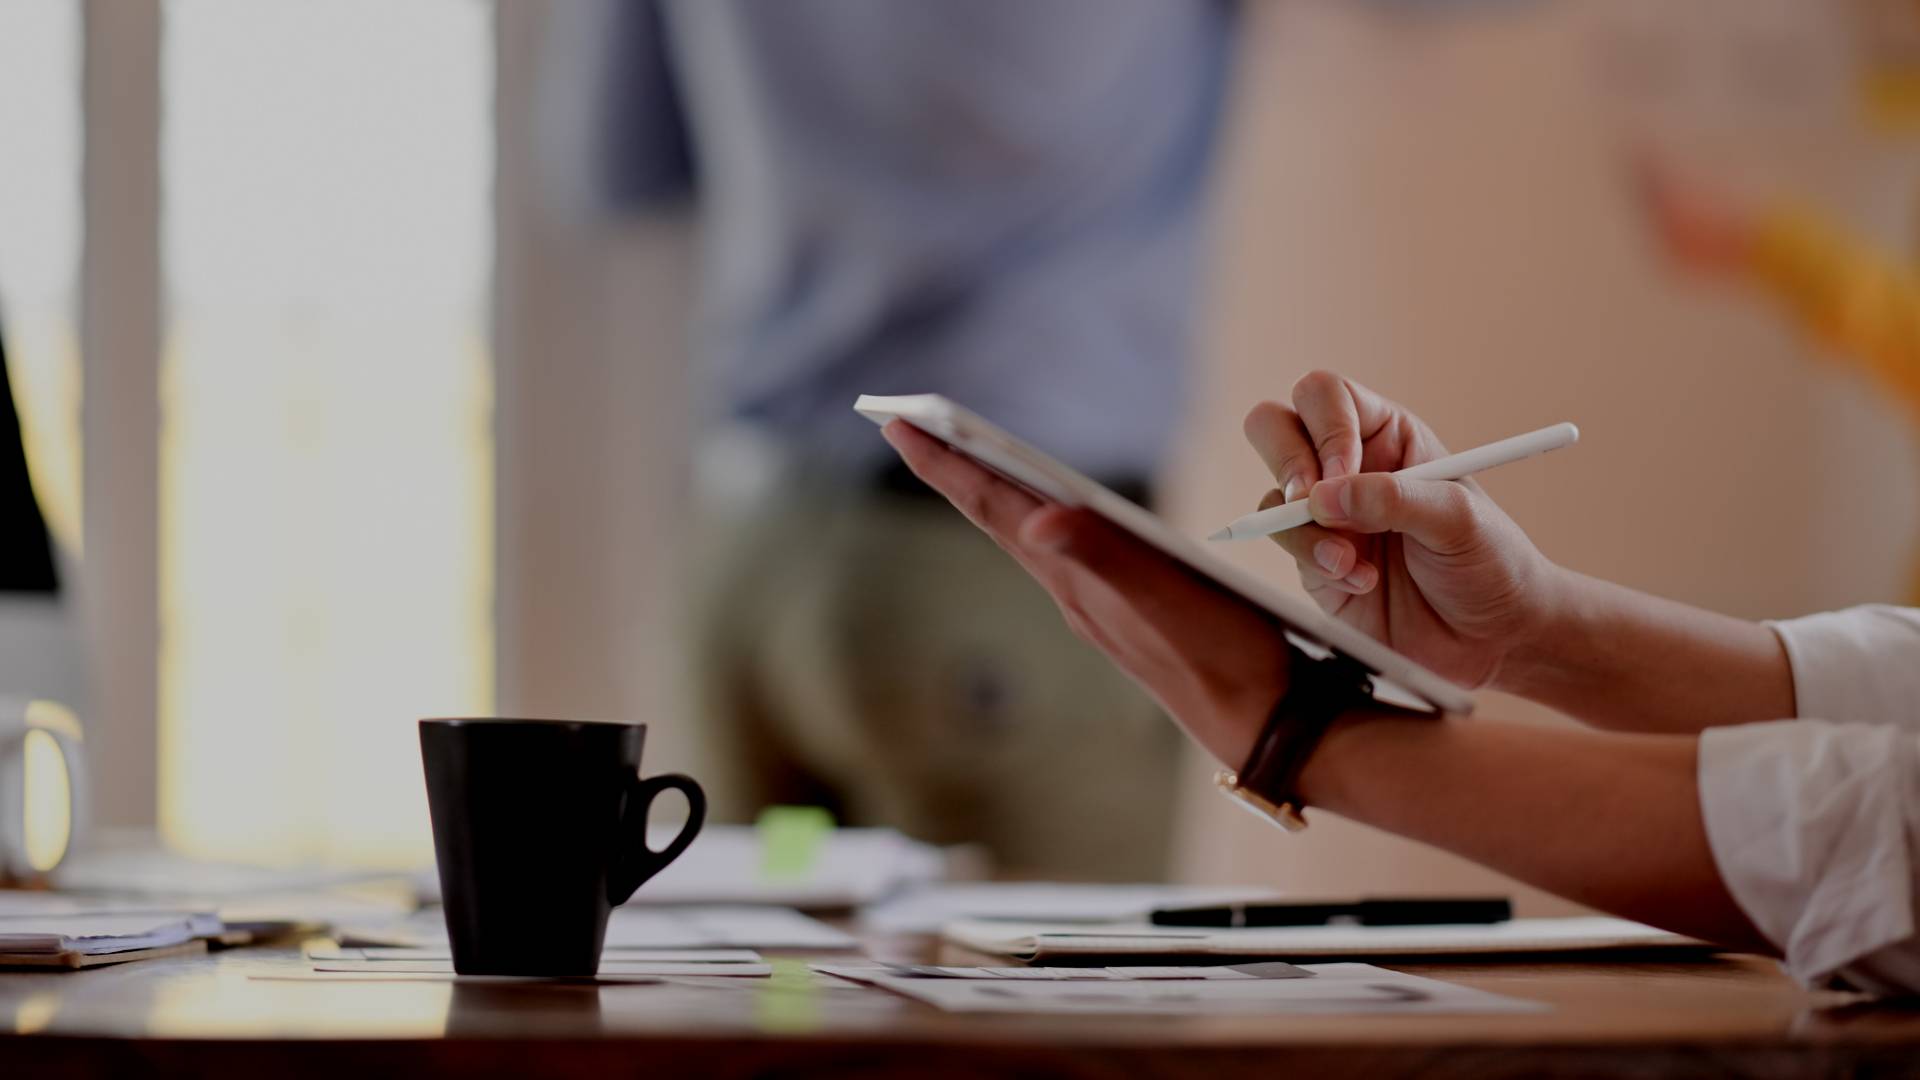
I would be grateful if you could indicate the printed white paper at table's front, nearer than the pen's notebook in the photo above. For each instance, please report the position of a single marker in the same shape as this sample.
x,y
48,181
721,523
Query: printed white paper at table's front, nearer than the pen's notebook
x,y
1333,989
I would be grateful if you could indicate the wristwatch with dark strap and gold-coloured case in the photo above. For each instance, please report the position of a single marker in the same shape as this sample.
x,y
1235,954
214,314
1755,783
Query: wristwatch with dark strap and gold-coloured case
x,y
1318,695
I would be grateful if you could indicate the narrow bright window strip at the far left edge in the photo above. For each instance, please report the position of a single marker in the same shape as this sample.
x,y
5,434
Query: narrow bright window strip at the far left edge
x,y
41,245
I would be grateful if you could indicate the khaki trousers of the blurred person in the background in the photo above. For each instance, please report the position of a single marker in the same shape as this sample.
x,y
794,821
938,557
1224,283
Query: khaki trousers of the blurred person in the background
x,y
880,656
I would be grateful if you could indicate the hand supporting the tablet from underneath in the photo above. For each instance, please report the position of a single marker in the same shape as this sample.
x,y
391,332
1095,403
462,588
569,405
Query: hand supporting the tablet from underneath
x,y
1212,660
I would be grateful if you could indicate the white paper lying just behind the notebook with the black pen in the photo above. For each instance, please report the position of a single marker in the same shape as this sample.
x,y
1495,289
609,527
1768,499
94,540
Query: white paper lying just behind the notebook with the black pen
x,y
928,908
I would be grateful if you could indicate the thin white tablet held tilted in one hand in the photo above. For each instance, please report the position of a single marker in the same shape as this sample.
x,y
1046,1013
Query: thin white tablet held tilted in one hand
x,y
1397,677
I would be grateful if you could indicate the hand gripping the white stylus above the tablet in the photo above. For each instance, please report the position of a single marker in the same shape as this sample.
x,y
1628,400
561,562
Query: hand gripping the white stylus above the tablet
x,y
1431,568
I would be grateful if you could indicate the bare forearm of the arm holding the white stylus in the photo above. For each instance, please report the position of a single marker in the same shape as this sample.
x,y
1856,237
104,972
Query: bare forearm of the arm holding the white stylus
x,y
1633,662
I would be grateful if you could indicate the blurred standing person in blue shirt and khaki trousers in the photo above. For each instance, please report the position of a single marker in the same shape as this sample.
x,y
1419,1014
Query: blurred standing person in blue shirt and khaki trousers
x,y
990,199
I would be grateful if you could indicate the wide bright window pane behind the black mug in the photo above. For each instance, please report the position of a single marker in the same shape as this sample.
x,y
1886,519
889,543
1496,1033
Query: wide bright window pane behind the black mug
x,y
325,453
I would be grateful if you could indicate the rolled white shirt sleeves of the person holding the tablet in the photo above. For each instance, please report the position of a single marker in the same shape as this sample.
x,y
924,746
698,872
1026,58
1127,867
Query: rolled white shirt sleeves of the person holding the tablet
x,y
1815,823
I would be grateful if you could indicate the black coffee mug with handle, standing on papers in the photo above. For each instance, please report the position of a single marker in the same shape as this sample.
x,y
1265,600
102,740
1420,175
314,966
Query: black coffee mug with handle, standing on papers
x,y
540,831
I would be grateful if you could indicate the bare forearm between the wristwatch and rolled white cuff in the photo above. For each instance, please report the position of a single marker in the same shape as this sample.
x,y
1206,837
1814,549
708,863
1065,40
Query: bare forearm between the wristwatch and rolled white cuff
x,y
1612,822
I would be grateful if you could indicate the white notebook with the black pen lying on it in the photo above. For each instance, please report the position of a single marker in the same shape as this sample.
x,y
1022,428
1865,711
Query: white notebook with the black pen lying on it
x,y
1038,941
